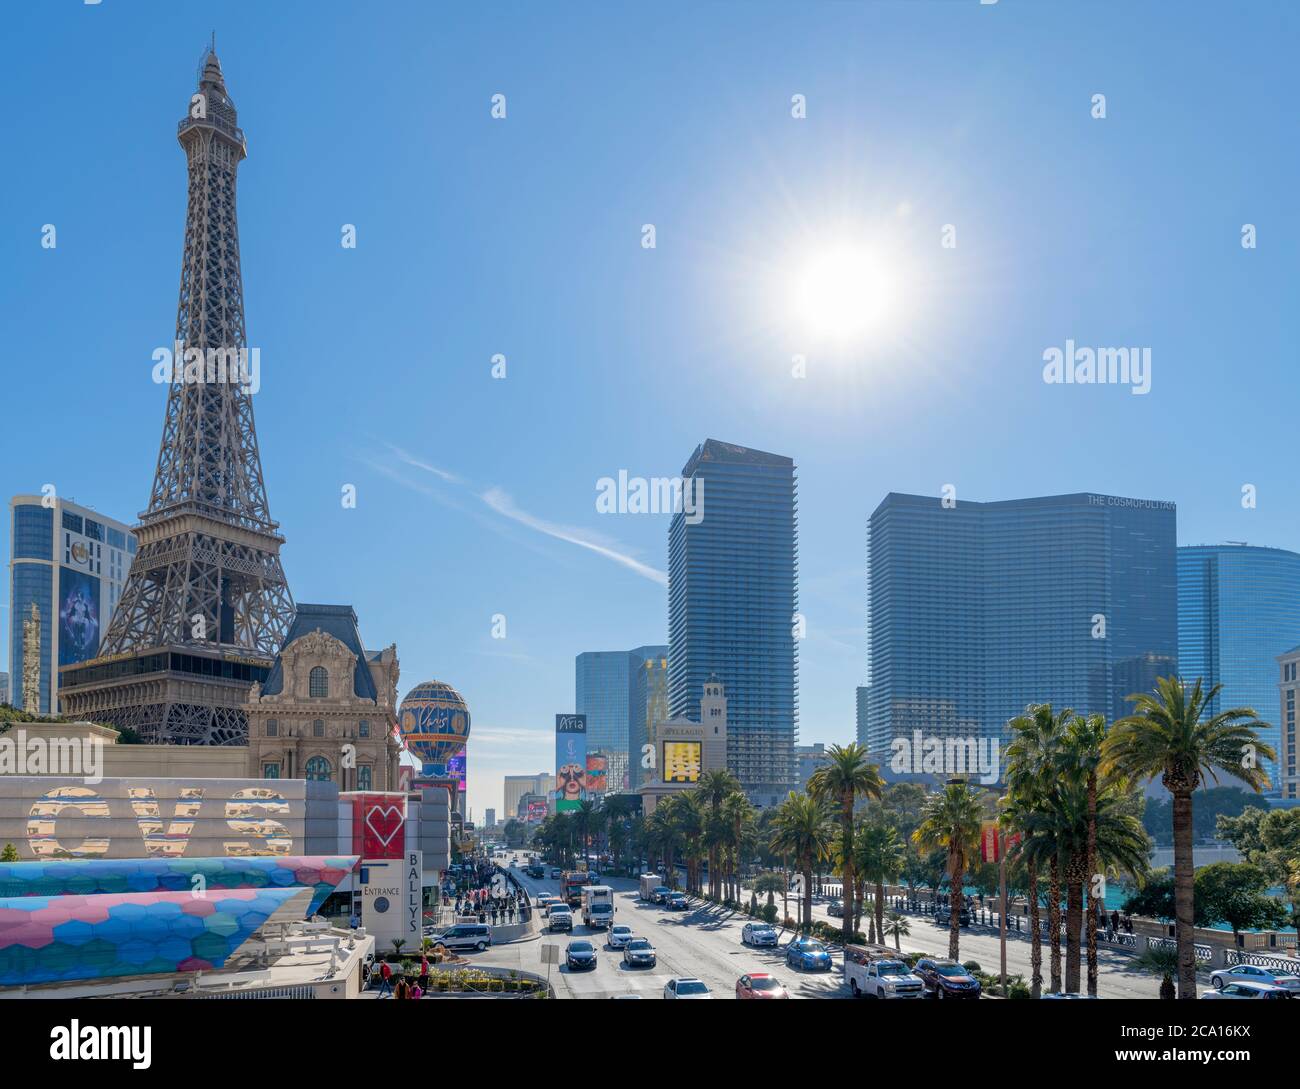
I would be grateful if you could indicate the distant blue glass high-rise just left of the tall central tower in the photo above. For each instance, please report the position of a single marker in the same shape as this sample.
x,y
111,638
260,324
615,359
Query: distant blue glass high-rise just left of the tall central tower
x,y
614,691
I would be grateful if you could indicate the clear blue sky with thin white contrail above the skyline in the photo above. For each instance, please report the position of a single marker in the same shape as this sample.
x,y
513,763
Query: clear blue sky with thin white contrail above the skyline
x,y
523,237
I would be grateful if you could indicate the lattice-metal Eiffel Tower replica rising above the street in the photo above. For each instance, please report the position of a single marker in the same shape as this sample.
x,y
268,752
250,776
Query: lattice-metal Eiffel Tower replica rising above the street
x,y
206,604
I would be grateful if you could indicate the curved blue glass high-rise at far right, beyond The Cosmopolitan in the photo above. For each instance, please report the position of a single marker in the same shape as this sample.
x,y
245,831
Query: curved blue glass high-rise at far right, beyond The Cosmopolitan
x,y
1238,610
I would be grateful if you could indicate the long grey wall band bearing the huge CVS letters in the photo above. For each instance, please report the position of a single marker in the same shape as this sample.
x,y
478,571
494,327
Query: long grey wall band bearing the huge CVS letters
x,y
141,818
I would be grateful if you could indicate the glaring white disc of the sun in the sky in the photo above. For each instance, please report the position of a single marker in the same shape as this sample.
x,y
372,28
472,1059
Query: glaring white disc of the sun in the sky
x,y
842,293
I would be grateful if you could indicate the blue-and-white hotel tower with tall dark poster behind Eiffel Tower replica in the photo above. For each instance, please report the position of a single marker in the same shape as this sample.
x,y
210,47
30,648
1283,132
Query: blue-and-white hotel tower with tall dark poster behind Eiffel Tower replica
x,y
72,562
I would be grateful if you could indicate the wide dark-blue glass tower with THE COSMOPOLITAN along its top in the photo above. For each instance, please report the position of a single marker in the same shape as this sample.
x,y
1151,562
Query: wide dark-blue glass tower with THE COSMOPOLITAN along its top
x,y
978,610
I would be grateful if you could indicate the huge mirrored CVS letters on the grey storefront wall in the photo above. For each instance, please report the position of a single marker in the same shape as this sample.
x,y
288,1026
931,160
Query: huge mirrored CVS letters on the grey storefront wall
x,y
249,814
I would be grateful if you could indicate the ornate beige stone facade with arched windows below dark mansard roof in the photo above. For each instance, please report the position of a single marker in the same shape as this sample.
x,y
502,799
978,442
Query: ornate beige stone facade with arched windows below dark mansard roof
x,y
318,727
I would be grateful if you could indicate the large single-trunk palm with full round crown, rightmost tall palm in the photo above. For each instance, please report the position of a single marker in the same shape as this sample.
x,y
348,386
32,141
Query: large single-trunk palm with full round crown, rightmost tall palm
x,y
1173,735
